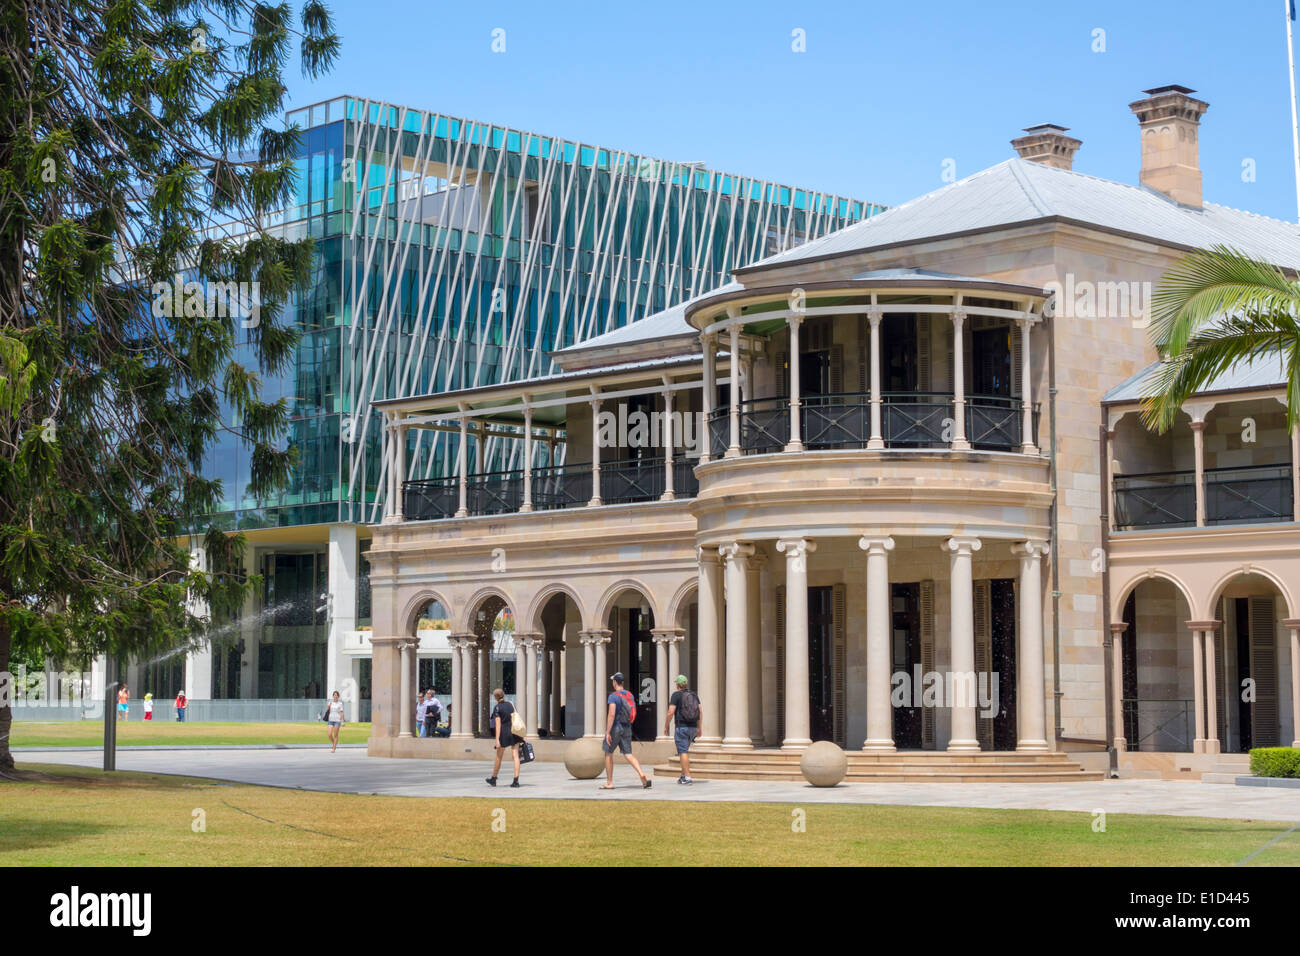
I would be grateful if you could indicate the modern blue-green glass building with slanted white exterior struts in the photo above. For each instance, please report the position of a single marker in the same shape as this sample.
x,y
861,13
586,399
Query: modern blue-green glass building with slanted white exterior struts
x,y
450,254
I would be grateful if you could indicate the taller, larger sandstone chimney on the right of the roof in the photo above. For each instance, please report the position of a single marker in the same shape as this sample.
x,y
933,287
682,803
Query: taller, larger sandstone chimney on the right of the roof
x,y
1171,159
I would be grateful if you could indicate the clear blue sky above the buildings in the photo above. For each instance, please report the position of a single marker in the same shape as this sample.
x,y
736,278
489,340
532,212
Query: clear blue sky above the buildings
x,y
883,96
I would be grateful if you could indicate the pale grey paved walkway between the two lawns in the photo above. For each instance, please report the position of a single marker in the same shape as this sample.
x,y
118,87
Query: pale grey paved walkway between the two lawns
x,y
352,772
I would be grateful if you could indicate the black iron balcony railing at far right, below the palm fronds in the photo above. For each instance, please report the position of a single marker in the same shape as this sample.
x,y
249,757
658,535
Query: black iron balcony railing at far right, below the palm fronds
x,y
1233,496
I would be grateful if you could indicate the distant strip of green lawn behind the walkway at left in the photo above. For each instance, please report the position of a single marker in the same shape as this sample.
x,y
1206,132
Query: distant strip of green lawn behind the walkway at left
x,y
170,733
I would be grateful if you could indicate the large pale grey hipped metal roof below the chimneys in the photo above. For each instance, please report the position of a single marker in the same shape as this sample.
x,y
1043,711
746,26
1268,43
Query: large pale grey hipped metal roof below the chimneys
x,y
1020,192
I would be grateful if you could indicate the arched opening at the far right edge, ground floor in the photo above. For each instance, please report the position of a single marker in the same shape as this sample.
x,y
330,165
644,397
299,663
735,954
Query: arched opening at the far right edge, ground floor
x,y
1253,665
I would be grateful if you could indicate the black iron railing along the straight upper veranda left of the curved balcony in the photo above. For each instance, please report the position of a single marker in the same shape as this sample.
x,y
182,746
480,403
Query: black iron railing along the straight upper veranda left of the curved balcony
x,y
554,487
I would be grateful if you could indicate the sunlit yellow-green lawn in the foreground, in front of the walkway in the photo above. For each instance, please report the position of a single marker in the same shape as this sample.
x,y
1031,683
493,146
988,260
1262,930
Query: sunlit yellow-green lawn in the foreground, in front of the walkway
x,y
77,817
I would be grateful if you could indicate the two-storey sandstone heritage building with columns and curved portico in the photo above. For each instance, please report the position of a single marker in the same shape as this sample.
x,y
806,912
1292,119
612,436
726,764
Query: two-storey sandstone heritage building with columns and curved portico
x,y
909,448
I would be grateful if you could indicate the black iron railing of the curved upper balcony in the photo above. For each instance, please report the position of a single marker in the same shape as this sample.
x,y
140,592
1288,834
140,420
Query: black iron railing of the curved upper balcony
x,y
908,421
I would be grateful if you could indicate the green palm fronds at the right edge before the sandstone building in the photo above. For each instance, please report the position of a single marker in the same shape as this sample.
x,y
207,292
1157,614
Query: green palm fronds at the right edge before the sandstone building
x,y
1214,310
